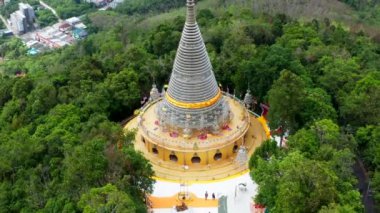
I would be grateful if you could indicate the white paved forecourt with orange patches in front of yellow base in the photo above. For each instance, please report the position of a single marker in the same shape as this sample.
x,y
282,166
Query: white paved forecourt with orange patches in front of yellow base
x,y
231,196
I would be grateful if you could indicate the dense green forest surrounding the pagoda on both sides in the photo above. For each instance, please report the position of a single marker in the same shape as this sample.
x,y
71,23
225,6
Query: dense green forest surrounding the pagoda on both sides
x,y
62,148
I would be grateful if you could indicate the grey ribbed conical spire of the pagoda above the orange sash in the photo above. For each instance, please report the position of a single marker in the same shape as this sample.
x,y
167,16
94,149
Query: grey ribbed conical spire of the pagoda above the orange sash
x,y
192,78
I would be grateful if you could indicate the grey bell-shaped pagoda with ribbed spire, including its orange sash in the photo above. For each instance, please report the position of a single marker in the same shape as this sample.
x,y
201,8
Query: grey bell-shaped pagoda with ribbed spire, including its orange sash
x,y
193,101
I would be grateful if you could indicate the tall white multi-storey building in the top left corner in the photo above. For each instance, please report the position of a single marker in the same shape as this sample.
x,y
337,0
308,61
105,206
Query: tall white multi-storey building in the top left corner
x,y
22,20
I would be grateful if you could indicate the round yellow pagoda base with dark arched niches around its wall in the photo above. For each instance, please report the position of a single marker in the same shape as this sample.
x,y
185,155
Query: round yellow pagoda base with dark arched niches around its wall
x,y
193,159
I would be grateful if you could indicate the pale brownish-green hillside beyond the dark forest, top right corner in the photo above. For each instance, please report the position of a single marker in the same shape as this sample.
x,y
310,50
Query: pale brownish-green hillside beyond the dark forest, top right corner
x,y
357,14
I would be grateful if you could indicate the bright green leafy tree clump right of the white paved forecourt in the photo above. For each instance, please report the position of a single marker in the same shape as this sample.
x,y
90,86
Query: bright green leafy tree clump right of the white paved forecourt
x,y
313,174
